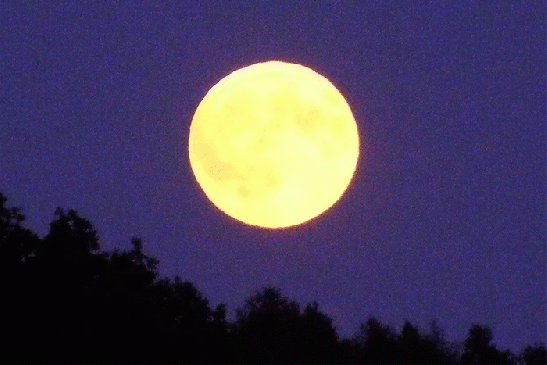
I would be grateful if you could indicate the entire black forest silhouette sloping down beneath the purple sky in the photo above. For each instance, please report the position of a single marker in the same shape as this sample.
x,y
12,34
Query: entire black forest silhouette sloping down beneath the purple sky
x,y
63,300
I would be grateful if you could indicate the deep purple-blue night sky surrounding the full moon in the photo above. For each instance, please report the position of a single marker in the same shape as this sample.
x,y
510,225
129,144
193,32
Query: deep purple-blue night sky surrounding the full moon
x,y
445,217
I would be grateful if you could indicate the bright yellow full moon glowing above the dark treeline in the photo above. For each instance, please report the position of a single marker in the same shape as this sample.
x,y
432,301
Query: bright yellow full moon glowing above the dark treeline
x,y
273,144
